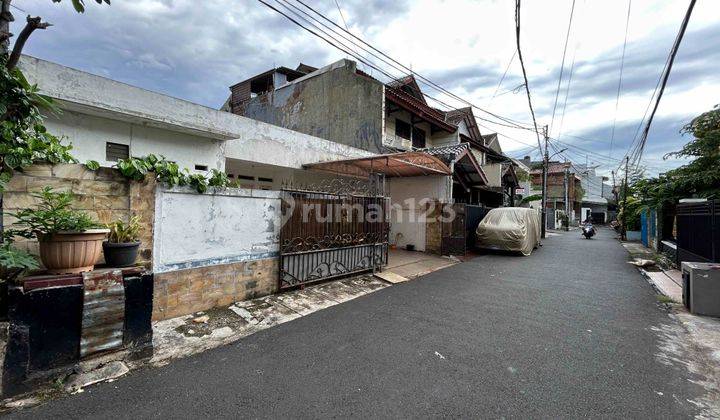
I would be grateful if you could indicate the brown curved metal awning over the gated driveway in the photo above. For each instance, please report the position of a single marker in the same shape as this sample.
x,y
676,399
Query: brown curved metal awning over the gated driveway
x,y
391,165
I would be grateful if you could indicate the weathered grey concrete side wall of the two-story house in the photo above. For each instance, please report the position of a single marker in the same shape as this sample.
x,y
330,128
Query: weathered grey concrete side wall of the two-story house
x,y
334,103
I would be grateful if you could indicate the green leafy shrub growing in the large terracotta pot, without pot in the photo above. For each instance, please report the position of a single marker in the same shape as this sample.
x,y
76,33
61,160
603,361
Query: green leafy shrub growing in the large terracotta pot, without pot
x,y
52,215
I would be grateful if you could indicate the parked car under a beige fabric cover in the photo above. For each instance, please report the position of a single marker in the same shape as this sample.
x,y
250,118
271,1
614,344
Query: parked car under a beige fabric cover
x,y
510,229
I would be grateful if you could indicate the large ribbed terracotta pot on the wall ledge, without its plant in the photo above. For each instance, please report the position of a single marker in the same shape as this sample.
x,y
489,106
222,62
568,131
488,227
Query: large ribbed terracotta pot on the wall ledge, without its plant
x,y
71,252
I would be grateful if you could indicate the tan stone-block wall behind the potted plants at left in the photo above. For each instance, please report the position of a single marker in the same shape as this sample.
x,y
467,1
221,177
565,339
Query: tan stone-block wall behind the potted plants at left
x,y
103,194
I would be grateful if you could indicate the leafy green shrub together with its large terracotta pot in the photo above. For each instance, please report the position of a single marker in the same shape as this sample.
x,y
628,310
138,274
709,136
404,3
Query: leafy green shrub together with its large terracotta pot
x,y
70,240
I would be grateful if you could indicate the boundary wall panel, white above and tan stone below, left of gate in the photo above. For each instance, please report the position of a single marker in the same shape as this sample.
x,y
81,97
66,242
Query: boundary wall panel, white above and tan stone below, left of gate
x,y
213,249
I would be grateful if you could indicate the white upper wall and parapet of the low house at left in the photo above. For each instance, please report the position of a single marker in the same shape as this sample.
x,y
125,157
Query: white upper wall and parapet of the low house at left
x,y
95,108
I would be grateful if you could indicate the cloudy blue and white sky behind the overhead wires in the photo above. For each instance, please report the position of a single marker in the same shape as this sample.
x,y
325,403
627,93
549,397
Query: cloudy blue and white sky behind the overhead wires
x,y
194,50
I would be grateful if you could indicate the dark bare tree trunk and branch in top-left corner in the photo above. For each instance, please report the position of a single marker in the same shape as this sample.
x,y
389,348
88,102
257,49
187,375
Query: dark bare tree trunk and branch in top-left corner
x,y
32,24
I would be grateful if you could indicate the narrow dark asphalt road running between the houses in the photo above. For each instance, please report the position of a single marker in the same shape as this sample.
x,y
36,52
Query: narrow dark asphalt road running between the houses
x,y
572,330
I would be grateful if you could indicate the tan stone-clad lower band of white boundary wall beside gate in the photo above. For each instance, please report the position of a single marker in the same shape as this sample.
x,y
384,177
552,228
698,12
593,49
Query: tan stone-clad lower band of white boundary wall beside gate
x,y
183,292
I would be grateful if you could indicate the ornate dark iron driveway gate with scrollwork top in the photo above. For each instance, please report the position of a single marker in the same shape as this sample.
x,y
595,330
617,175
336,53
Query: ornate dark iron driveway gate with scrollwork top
x,y
332,229
